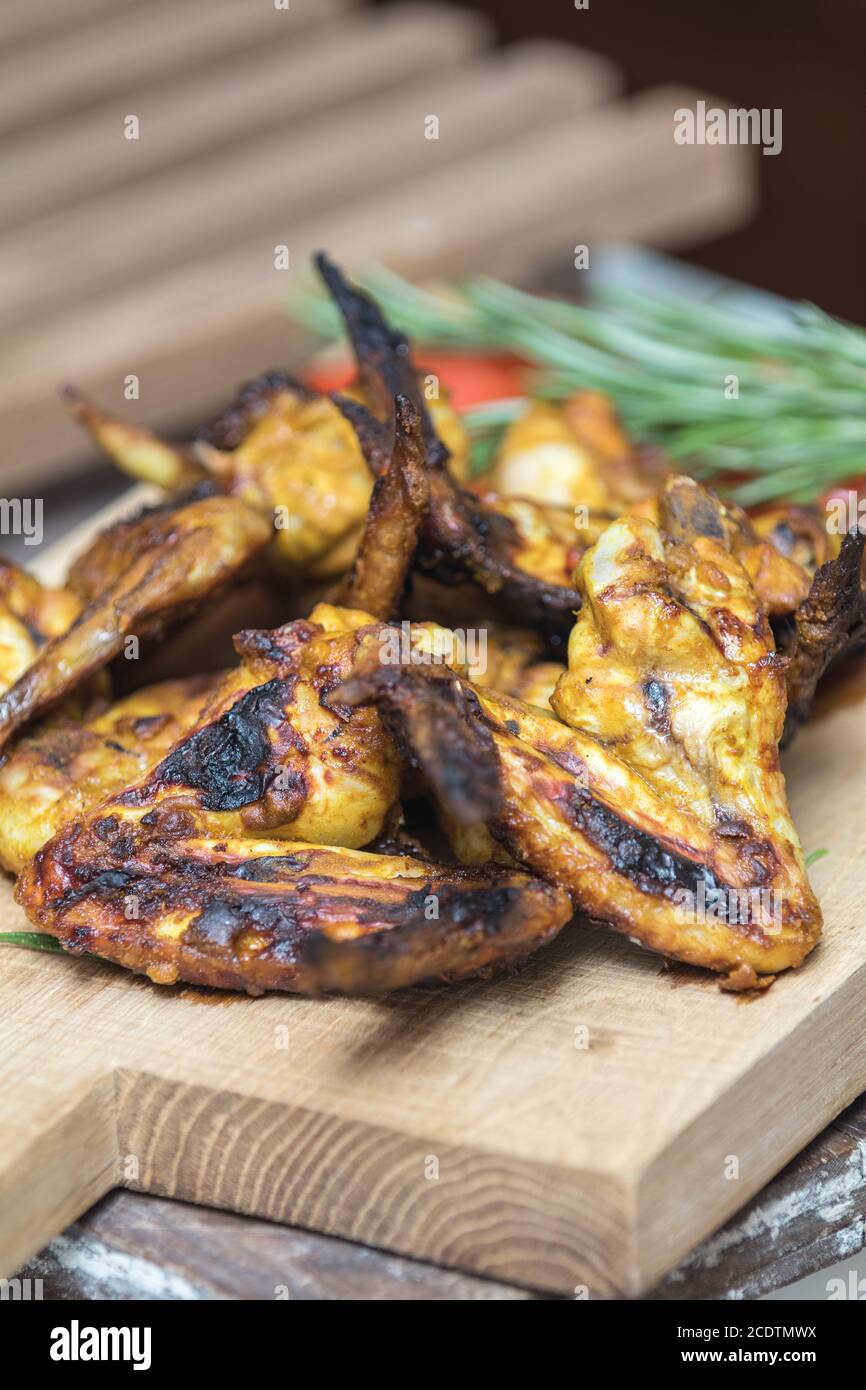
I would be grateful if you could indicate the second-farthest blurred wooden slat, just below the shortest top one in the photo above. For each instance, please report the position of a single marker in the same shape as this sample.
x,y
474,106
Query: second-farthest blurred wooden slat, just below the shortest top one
x,y
288,83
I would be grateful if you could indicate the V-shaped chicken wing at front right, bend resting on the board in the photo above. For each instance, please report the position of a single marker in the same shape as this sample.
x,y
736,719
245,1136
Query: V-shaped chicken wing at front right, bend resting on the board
x,y
657,799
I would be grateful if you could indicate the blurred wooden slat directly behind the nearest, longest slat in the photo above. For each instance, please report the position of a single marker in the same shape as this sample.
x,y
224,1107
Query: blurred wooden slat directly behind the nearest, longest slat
x,y
281,179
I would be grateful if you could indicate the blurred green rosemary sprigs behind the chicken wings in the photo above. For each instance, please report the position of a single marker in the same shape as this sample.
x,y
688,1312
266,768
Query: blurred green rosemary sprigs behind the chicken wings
x,y
796,429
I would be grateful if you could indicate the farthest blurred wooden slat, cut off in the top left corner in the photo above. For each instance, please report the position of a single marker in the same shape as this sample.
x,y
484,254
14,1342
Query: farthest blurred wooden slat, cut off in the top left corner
x,y
140,44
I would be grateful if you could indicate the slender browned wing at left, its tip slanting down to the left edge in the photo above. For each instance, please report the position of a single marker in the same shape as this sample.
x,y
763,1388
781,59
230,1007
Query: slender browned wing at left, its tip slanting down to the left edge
x,y
138,578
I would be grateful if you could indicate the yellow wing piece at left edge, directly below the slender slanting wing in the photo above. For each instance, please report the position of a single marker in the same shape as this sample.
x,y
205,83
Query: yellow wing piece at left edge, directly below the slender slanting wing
x,y
55,775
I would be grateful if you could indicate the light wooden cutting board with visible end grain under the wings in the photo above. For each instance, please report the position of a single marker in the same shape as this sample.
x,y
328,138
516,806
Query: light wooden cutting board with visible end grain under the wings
x,y
579,1125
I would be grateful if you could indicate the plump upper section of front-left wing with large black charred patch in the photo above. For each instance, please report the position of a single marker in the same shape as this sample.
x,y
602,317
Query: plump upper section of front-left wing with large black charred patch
x,y
266,757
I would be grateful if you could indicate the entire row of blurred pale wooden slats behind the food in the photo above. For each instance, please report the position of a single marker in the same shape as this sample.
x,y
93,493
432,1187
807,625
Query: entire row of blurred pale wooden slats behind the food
x,y
301,127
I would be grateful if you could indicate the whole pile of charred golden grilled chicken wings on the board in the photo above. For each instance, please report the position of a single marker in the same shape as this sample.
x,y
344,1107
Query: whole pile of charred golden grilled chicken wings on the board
x,y
354,806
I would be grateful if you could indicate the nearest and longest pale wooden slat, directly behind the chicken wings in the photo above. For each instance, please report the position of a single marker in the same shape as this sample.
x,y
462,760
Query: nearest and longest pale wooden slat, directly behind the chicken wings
x,y
190,334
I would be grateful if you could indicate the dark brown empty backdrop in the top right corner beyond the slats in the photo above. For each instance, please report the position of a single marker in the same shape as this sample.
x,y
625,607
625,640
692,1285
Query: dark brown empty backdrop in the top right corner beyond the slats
x,y
808,236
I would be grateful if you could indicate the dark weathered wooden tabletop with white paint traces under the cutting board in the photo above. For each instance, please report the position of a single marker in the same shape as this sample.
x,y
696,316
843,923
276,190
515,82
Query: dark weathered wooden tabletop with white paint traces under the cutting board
x,y
136,1246
